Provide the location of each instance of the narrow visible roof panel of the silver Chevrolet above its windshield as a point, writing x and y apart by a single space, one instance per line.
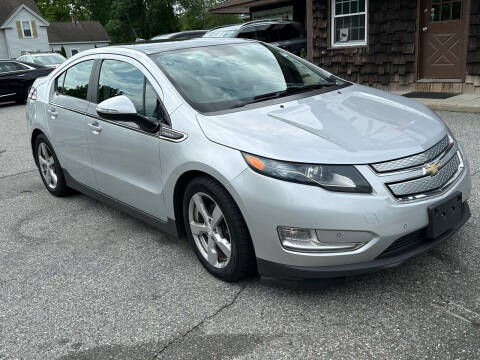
152 48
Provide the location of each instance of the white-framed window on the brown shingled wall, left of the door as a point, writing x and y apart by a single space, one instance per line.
349 22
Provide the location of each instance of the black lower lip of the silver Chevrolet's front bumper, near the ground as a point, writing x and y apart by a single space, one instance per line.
268 269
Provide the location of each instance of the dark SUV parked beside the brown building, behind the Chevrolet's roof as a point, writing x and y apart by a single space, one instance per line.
285 34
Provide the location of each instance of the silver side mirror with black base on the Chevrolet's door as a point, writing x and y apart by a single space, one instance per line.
121 109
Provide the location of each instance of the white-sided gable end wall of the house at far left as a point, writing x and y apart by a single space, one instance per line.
17 45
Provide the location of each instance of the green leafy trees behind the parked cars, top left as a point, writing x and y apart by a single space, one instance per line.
147 17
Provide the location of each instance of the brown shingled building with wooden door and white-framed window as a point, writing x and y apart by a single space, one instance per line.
403 45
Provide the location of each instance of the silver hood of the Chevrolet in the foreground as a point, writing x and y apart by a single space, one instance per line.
354 125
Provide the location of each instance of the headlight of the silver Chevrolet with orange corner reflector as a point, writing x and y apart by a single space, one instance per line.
340 178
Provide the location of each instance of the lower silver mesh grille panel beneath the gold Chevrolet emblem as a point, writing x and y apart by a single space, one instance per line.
427 183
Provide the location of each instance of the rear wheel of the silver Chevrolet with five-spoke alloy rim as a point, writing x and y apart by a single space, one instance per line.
49 168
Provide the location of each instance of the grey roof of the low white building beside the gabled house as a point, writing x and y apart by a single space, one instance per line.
81 31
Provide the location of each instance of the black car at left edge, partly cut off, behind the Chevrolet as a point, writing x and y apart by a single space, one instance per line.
17 77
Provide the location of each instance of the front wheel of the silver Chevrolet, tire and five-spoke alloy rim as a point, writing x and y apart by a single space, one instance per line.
217 230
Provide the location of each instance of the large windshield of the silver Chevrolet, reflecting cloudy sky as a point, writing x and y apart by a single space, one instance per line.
215 78
